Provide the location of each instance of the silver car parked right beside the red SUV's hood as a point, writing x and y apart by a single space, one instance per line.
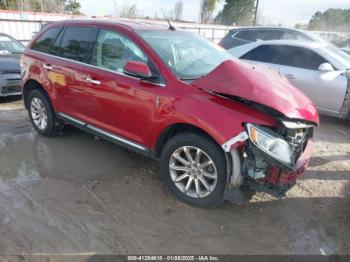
320 70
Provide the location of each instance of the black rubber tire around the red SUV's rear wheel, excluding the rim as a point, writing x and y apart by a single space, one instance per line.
49 130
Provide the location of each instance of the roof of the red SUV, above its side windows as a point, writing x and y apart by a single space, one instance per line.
131 25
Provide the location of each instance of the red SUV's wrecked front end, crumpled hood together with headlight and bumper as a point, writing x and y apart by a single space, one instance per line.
274 153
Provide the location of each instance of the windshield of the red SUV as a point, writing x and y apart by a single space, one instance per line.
188 55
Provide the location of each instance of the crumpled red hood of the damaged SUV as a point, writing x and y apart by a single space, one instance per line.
259 85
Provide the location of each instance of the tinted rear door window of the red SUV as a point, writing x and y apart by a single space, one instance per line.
76 43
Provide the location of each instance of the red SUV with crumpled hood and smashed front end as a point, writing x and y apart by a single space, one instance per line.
172 95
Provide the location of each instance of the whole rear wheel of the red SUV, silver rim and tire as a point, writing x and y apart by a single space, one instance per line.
42 115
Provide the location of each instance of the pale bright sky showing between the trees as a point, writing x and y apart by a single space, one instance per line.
285 12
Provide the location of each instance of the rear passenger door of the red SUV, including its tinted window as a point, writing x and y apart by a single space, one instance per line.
69 72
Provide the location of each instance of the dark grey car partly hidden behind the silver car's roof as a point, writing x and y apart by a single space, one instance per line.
245 35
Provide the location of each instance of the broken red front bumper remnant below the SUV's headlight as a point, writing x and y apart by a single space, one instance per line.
278 176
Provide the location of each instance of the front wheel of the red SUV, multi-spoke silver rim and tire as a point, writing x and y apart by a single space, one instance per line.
194 169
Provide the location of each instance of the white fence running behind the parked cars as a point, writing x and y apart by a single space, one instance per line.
23 25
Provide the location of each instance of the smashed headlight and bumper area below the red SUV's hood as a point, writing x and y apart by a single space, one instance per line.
273 155
